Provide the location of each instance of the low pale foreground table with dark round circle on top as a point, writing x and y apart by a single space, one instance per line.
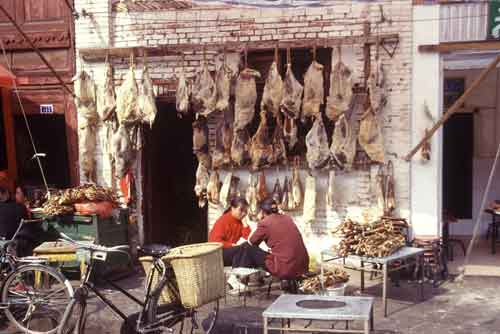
289 307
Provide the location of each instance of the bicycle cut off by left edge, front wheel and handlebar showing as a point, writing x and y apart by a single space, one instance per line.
33 295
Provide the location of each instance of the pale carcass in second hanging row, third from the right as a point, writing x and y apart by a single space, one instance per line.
318 152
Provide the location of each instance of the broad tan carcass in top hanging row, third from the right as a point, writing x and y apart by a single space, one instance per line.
313 91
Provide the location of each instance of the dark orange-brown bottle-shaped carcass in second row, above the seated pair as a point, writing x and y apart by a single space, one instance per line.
261 147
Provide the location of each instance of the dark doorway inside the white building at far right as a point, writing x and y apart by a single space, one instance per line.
458 143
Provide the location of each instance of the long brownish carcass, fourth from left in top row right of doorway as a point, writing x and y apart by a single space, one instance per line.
245 98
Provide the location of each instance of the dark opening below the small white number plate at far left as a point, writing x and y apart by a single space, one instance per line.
49 135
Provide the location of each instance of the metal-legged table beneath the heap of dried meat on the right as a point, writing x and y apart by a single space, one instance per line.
403 253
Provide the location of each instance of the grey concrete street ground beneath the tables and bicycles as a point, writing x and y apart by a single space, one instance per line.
468 306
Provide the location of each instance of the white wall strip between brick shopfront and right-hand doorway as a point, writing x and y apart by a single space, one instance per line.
426 87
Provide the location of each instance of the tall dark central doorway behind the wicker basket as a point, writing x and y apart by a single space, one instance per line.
171 209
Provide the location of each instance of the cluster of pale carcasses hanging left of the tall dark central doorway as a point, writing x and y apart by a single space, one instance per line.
122 114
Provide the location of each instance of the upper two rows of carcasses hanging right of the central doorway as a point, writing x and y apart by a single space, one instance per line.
283 104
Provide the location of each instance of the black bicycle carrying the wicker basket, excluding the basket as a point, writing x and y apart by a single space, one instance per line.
155 316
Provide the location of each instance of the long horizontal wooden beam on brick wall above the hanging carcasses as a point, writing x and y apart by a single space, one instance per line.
98 54
